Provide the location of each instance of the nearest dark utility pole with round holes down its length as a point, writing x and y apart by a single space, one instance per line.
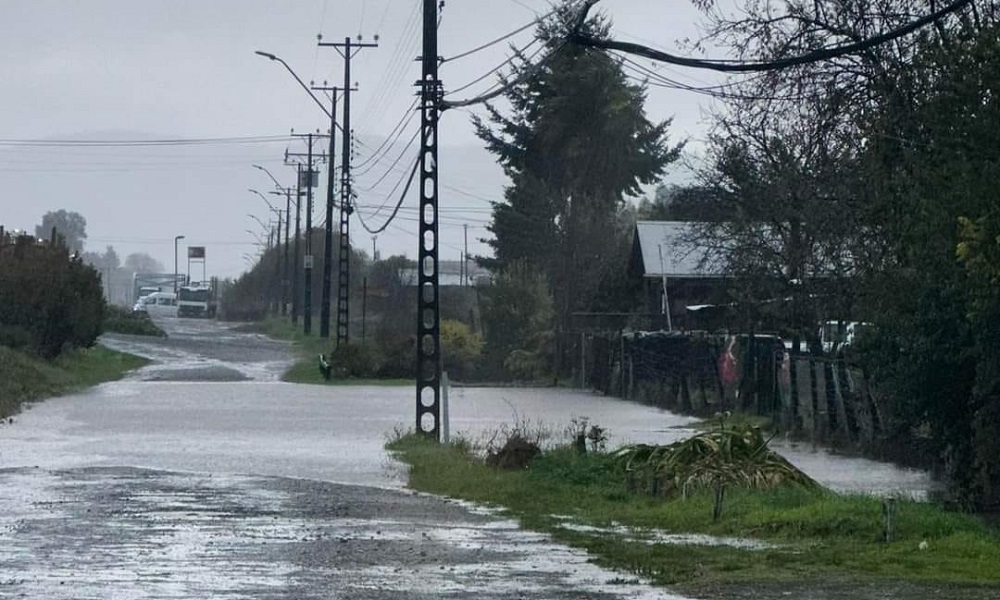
428 314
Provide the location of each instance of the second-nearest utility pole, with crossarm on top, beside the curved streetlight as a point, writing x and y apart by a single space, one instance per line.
347 50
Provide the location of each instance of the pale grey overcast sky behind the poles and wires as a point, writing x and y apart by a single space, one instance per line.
183 69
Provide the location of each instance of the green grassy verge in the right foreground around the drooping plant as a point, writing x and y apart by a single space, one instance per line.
812 536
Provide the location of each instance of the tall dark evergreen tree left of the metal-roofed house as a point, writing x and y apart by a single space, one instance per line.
575 144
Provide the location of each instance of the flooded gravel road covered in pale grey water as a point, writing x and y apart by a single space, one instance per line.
203 475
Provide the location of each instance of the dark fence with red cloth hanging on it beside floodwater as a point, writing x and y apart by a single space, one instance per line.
826 399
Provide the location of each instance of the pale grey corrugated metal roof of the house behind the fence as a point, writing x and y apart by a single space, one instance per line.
681 257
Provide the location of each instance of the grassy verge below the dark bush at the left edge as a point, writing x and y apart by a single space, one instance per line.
25 378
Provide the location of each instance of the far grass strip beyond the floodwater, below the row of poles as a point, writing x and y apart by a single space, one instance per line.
307 349
